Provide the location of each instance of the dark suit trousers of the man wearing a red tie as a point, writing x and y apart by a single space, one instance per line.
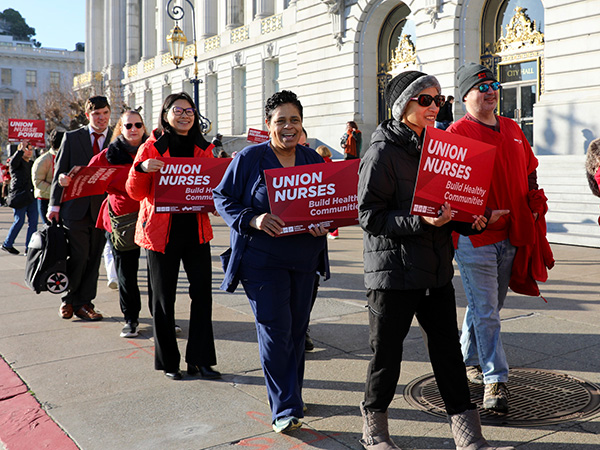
86 243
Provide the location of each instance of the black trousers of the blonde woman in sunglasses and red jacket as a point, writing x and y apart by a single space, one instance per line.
127 264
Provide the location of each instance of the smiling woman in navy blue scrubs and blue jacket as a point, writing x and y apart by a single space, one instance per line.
277 273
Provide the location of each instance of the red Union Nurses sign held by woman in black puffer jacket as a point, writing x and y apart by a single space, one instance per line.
453 169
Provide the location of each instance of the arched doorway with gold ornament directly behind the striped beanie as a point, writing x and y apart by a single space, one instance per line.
396 40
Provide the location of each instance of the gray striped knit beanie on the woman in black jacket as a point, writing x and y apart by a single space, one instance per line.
405 86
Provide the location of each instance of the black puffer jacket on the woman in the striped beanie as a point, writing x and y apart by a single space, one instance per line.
400 251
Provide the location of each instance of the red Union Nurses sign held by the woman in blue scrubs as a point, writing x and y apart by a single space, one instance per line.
313 194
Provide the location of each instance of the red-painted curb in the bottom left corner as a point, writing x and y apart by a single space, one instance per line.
24 425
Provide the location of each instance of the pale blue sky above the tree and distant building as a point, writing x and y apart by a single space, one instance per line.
57 23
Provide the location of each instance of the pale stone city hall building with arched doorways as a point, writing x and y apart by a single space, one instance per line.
337 56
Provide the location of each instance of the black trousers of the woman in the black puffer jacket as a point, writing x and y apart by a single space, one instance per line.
390 317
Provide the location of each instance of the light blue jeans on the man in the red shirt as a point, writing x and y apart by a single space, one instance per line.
485 273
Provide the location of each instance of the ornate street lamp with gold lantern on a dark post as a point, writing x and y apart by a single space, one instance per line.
177 42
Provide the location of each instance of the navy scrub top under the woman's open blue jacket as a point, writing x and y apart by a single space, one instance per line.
297 252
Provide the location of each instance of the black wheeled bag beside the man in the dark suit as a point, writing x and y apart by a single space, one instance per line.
46 266
